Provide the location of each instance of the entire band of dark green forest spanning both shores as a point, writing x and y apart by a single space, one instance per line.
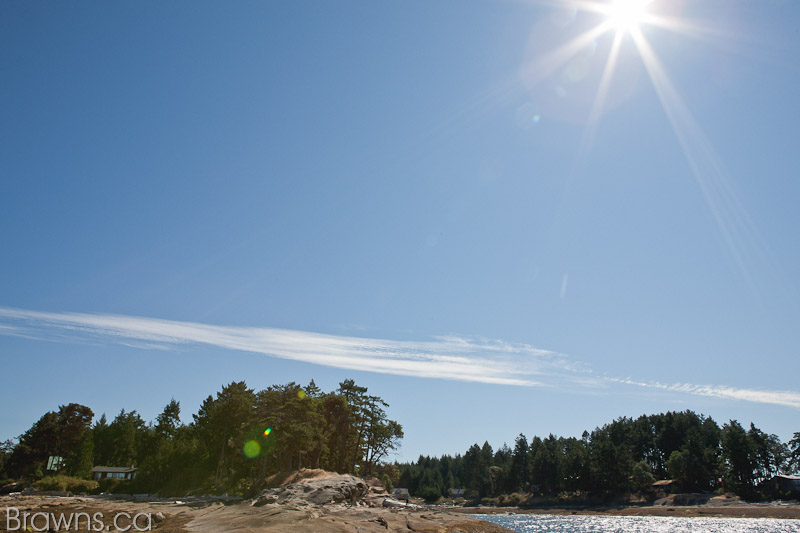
239 437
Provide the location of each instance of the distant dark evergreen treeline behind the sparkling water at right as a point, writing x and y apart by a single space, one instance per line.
622 457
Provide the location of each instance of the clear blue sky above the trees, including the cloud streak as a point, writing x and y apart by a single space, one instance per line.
460 205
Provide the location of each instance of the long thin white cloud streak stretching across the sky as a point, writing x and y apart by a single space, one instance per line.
447 357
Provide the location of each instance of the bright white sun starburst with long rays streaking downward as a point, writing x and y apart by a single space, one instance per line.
628 18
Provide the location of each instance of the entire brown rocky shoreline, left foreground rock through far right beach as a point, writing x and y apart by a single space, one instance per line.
318 501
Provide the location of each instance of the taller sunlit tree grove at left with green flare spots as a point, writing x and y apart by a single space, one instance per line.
236 439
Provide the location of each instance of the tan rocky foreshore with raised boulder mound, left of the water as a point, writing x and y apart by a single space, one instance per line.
321 502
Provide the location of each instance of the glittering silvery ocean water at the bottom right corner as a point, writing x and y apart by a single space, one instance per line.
639 524
